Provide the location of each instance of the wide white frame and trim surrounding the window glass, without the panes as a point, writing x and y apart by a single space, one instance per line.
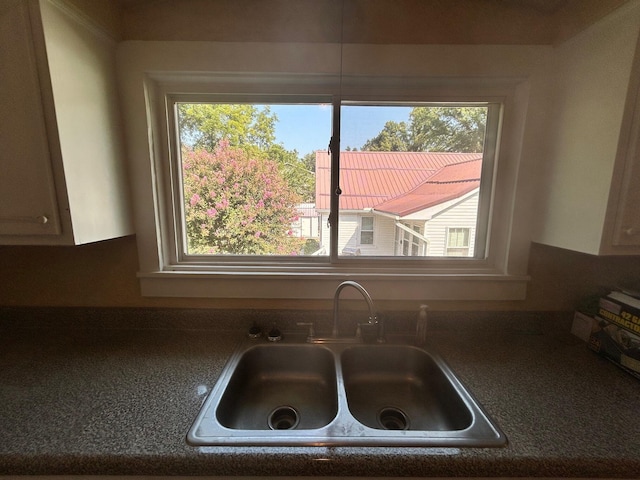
501 275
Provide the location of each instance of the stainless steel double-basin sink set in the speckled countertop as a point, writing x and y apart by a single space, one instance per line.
294 393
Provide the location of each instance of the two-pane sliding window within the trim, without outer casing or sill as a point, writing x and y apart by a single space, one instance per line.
246 169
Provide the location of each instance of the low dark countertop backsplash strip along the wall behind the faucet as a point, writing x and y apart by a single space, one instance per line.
240 320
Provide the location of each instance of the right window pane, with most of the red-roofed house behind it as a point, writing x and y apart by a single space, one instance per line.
417 166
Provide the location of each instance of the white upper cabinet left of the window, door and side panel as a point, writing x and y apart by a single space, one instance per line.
63 178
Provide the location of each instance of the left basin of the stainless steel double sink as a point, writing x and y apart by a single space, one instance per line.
292 386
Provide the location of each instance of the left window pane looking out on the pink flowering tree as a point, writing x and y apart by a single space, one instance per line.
248 178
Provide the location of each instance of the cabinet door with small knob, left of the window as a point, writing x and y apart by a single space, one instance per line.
28 204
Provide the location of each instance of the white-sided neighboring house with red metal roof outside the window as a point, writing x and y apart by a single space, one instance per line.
402 203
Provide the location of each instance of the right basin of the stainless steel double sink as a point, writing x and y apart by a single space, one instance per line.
401 388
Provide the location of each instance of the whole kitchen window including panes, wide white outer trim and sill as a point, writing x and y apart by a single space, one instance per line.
184 252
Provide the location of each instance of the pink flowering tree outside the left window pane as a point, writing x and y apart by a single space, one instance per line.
236 204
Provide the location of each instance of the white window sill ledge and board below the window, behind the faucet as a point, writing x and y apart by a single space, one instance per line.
314 285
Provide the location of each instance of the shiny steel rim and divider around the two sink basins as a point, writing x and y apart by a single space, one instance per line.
344 429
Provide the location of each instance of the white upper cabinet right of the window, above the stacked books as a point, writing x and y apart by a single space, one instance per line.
589 174
